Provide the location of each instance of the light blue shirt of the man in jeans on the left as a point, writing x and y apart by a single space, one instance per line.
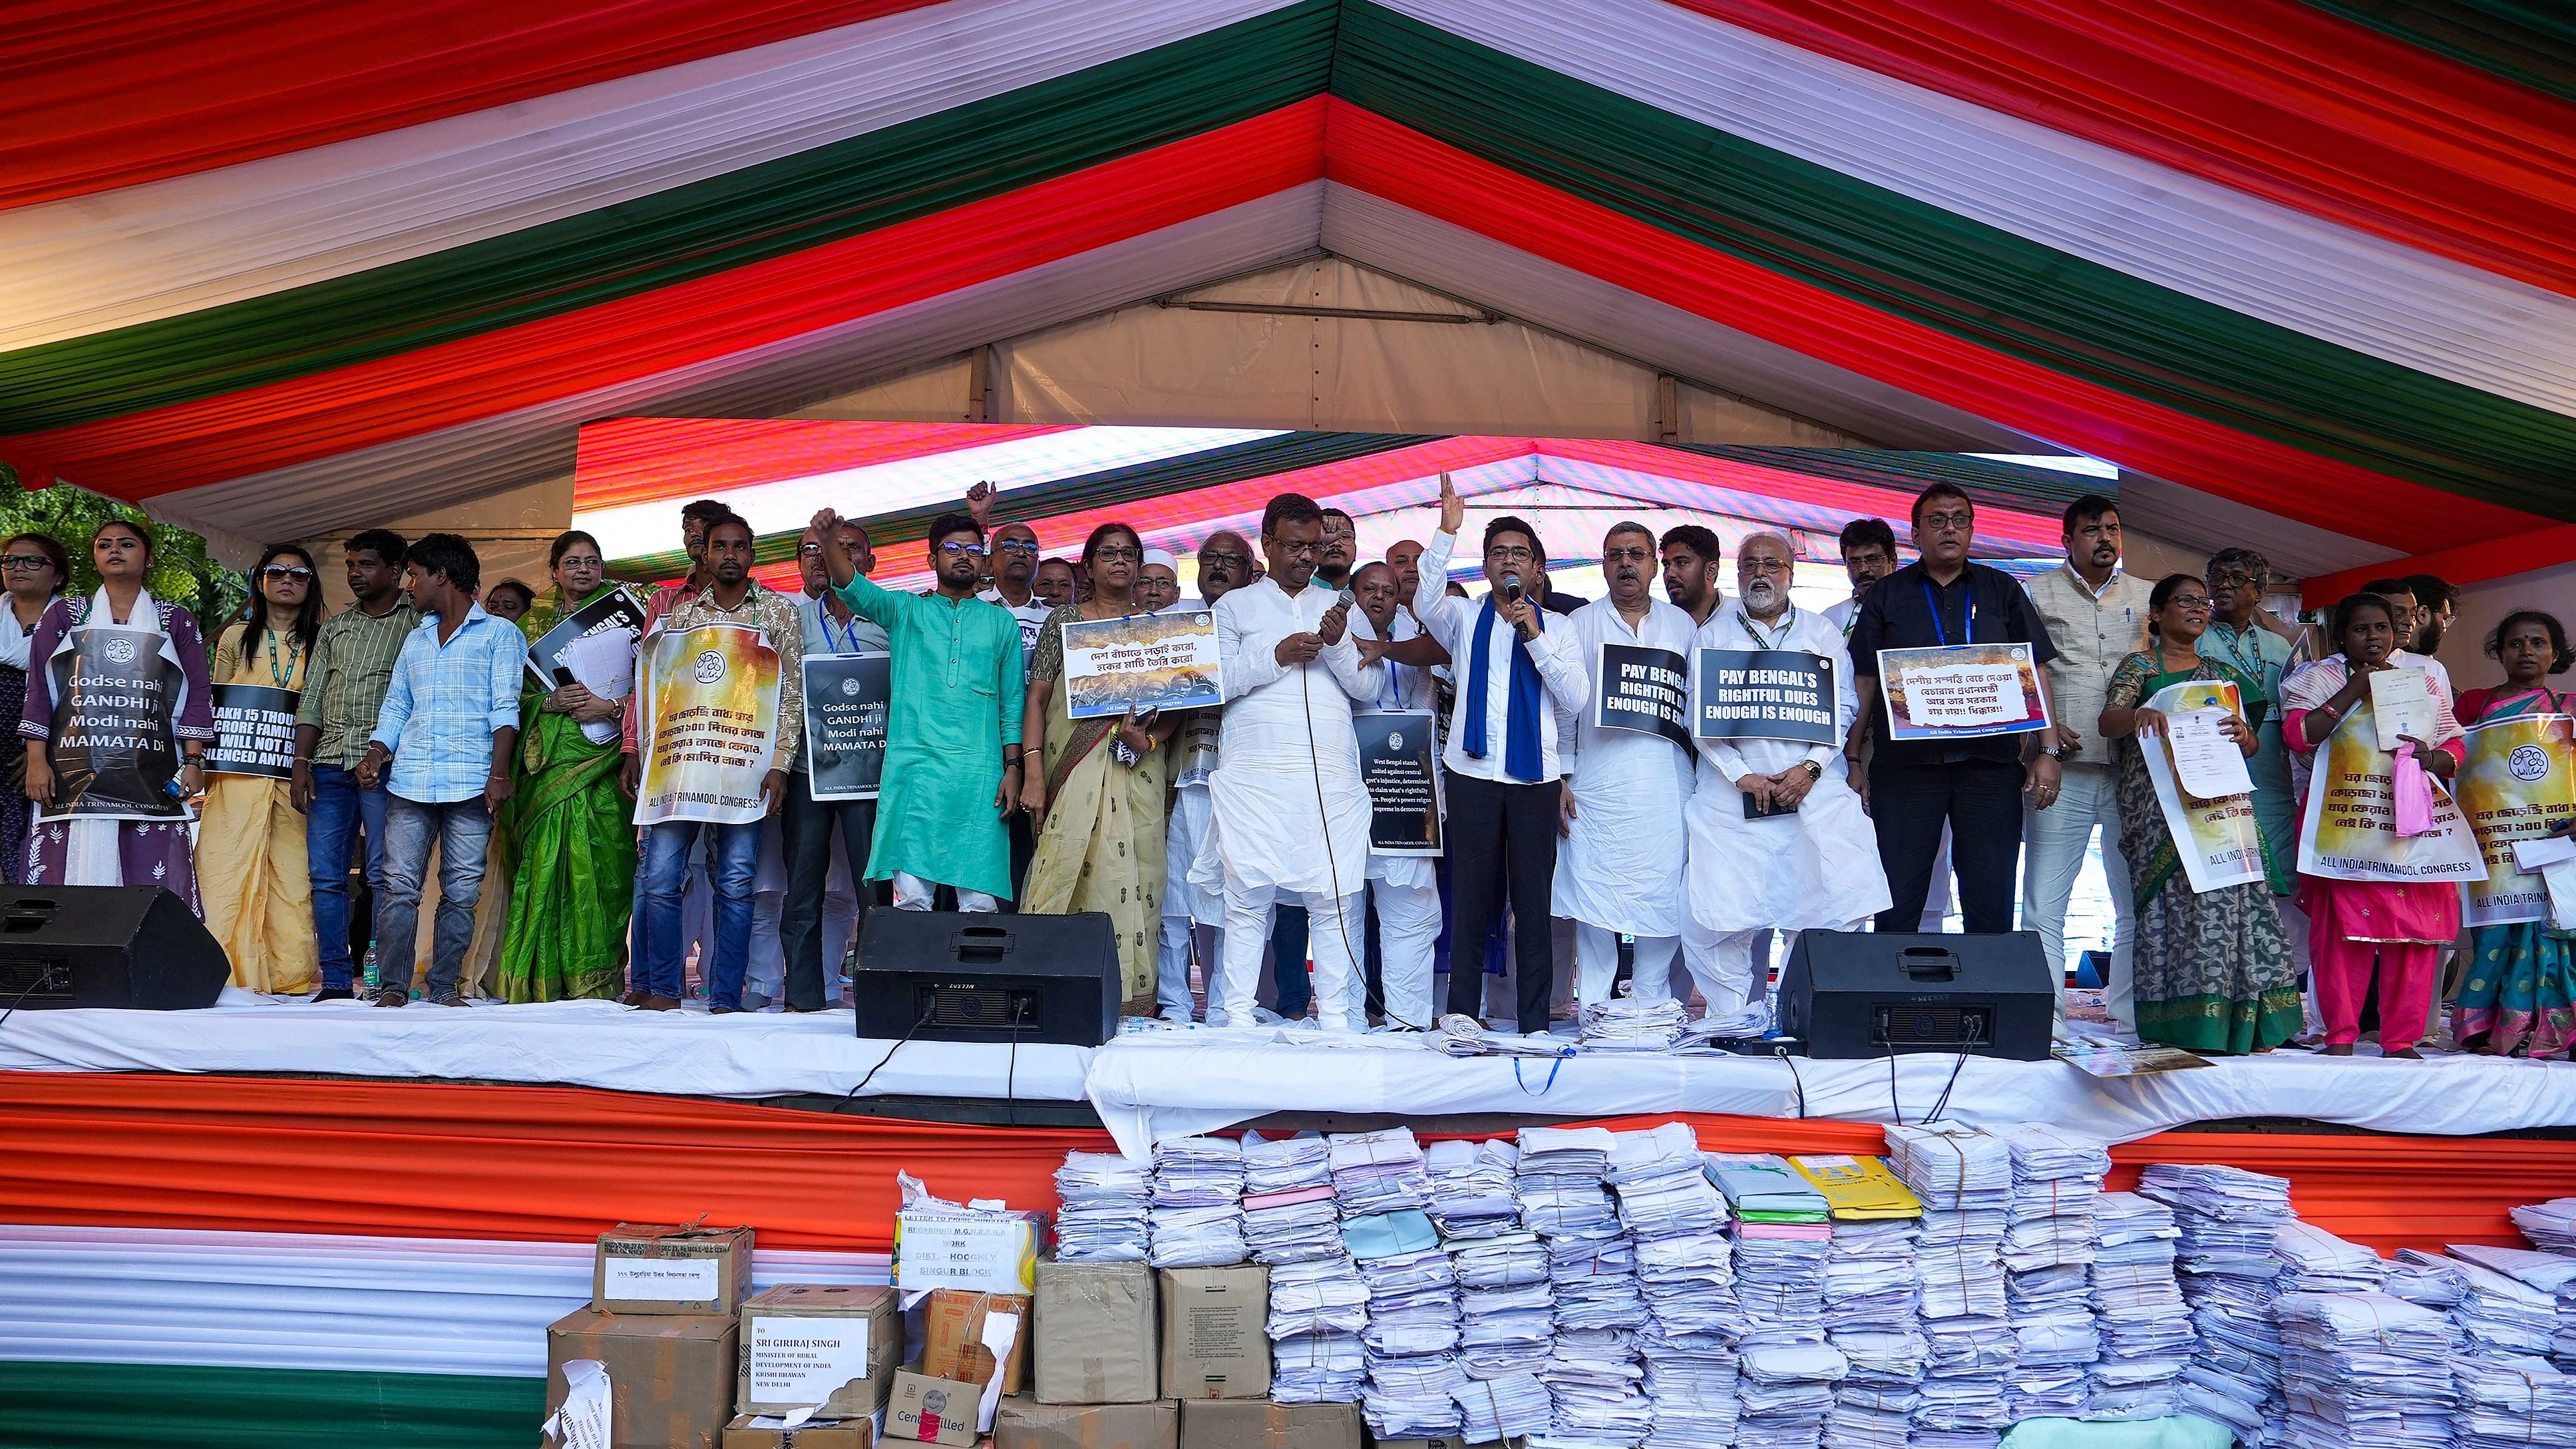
444 705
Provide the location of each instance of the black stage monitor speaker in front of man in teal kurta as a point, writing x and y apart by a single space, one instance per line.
947 976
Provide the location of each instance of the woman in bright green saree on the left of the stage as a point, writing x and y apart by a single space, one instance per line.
568 821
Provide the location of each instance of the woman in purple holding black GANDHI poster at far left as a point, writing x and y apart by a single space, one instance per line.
117 819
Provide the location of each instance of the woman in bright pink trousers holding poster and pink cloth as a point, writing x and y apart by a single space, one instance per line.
2400 927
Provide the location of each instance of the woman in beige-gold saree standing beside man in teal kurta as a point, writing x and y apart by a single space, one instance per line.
1099 801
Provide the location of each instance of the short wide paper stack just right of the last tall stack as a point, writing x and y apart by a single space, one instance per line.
2363 1370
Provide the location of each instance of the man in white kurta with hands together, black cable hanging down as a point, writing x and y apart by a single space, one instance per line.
1289 816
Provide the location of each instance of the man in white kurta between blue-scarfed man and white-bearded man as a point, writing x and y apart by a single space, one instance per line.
1627 847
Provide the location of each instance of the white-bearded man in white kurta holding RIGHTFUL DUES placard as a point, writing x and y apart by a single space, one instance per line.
1815 868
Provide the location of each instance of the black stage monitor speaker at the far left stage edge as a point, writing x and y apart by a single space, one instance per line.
107 945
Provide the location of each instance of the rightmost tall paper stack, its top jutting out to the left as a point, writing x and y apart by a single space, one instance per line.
2230 1221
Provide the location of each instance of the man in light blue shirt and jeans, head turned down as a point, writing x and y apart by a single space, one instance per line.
450 728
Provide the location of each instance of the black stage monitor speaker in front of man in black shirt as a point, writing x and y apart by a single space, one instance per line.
1859 994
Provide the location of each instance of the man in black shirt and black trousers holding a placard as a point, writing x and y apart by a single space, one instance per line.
1975 788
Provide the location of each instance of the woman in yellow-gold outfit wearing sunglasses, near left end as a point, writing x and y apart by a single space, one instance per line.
251 868
